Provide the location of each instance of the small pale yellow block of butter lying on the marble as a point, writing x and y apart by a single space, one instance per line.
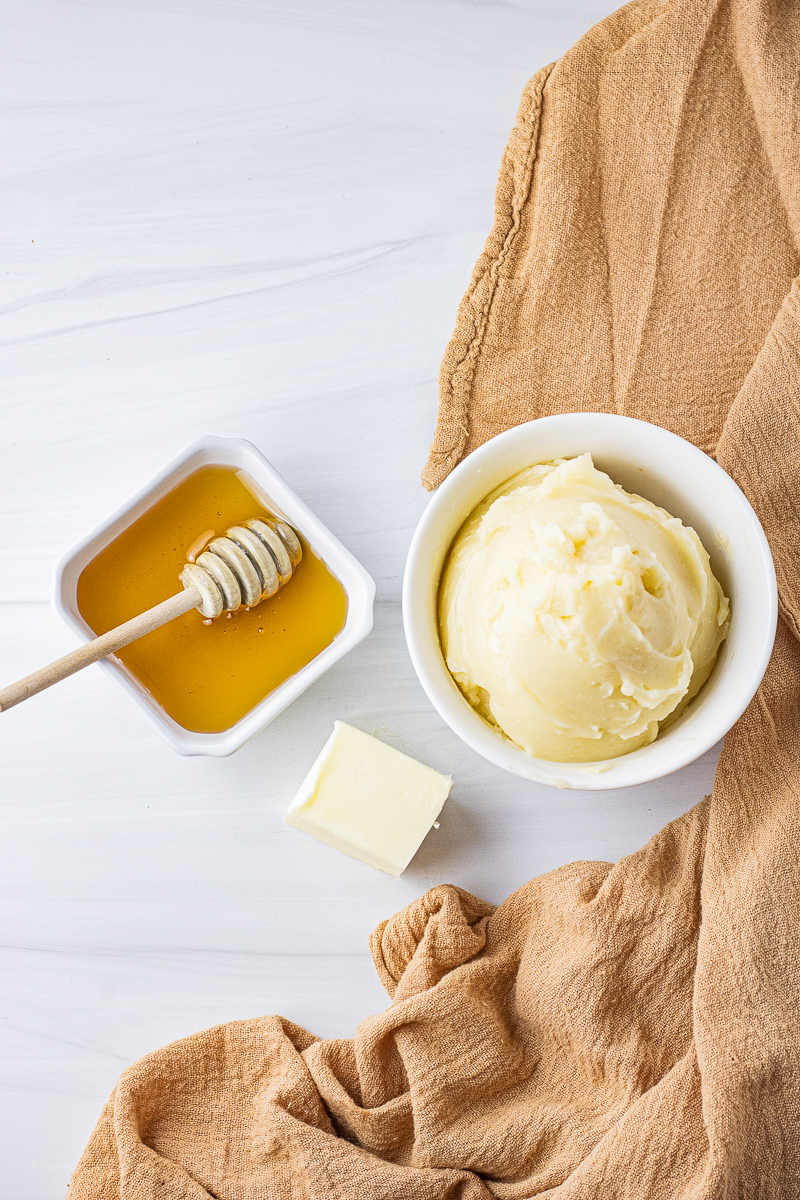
369 800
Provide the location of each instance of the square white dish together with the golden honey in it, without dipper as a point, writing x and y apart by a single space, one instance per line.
210 686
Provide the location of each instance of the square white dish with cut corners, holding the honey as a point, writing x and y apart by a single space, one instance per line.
244 457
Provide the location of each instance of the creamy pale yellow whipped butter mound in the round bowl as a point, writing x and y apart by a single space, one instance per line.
576 617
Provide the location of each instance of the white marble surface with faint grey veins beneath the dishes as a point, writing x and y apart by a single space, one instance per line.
254 219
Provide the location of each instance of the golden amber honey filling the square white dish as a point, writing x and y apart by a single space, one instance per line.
208 676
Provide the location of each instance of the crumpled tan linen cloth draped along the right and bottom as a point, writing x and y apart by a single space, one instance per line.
611 1033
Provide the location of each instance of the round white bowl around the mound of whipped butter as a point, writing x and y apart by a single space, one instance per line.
676 476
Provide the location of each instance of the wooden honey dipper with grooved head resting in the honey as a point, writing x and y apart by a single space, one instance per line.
240 569
